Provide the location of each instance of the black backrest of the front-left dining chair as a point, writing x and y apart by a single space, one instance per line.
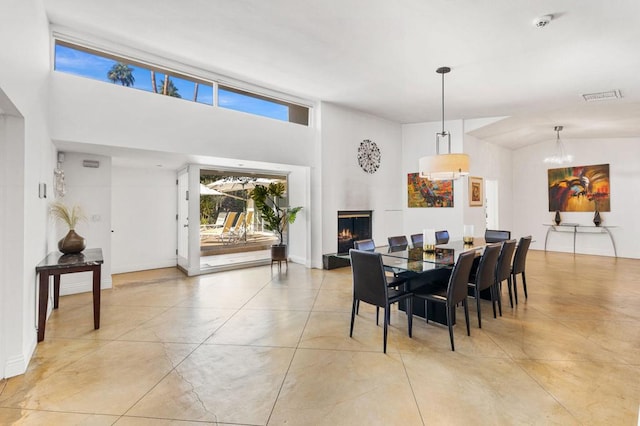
369 282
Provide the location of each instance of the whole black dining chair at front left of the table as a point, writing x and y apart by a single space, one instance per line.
370 286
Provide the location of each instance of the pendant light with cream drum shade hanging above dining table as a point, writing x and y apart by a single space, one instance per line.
444 166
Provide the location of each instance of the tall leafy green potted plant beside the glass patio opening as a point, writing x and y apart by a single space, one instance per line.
275 217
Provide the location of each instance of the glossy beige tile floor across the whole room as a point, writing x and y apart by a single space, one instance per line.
255 347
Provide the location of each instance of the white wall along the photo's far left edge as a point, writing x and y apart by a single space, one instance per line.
24 81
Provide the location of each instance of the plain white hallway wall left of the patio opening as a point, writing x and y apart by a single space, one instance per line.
143 219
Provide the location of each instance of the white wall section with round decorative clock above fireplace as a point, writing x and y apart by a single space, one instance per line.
345 186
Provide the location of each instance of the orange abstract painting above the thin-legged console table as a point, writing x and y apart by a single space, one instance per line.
579 189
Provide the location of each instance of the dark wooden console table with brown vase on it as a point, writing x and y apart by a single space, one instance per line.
56 264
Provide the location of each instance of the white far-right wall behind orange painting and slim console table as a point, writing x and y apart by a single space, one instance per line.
531 202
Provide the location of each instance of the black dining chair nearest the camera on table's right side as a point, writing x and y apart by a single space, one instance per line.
455 293
